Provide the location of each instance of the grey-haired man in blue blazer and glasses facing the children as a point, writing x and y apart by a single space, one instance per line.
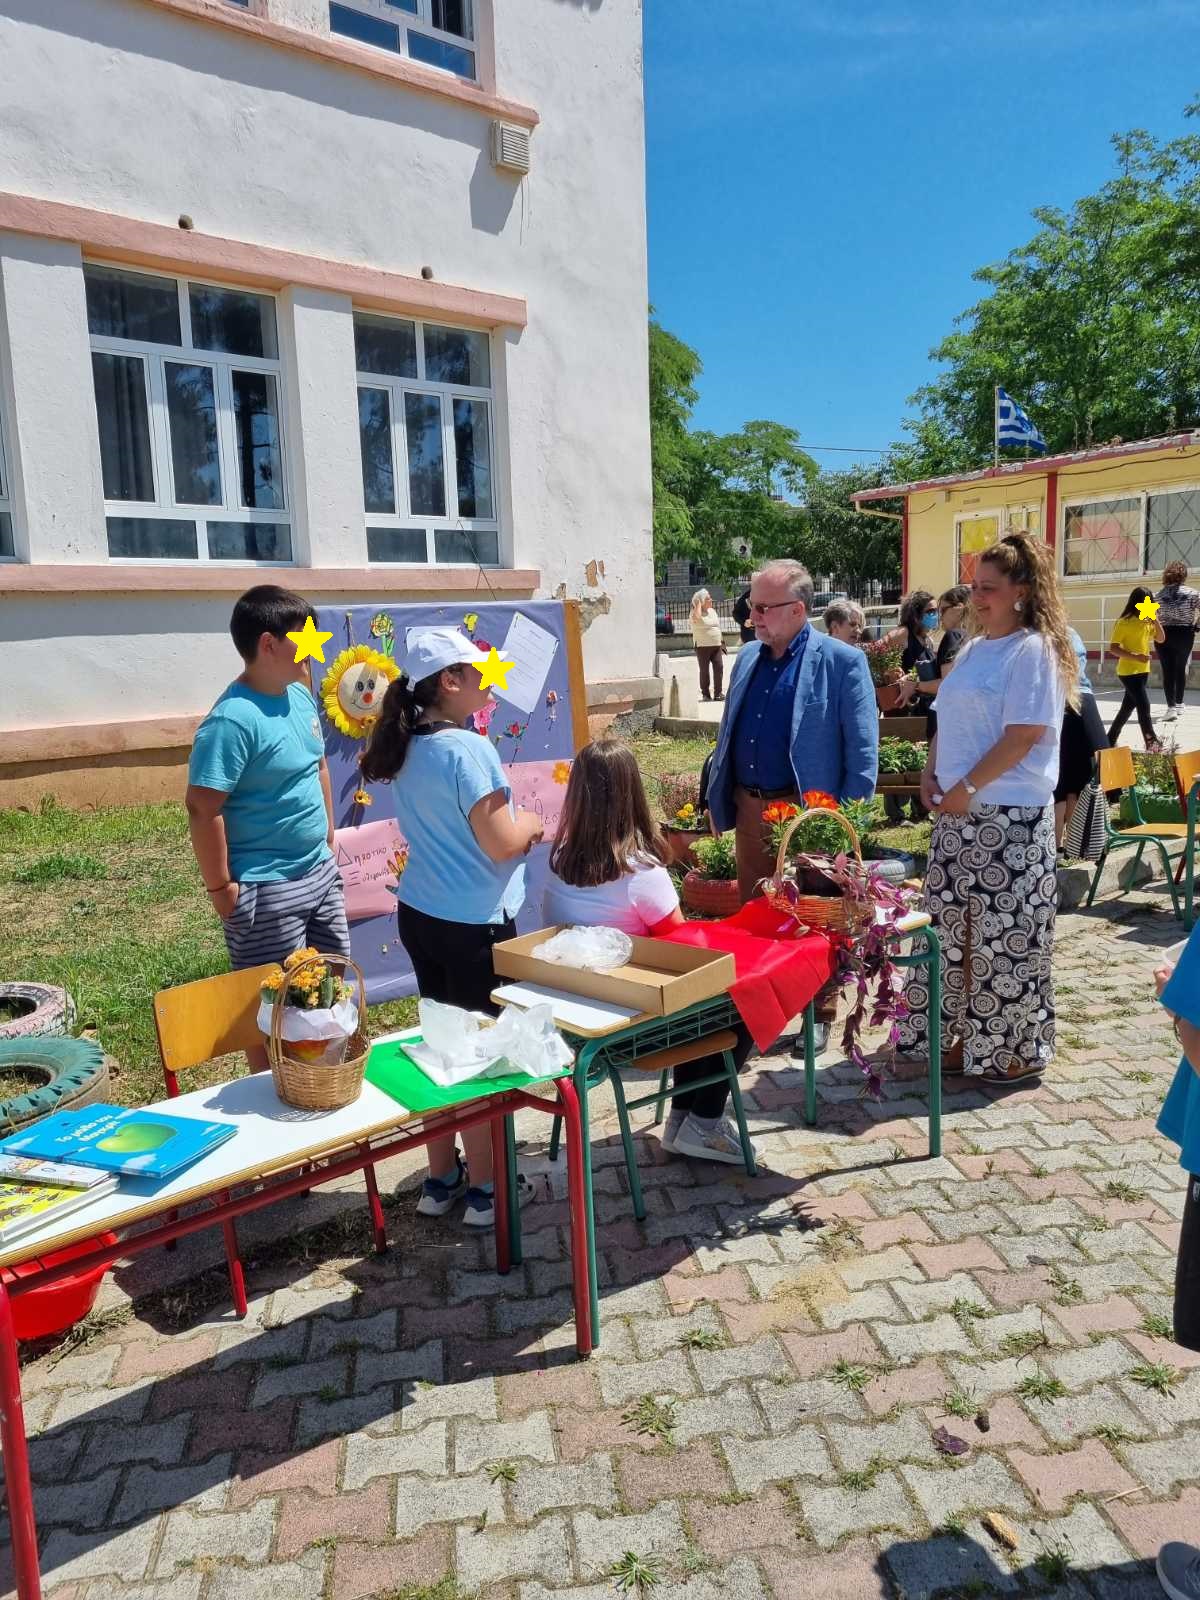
801 714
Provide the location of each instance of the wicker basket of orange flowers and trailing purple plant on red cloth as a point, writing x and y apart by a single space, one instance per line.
862 927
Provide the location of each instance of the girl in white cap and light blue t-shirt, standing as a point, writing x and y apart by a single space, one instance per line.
466 847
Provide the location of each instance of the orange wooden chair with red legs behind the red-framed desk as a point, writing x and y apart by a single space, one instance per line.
218 1017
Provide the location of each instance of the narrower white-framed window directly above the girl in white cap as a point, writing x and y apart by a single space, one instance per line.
428 442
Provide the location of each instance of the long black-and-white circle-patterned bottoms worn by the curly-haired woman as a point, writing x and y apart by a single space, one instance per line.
991 890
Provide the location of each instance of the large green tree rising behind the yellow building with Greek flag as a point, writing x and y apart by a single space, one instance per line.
1094 326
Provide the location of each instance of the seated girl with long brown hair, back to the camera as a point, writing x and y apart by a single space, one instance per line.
607 871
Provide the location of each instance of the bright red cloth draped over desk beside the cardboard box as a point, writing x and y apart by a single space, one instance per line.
778 969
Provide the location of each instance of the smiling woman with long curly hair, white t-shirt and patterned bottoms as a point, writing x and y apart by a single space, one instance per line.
990 780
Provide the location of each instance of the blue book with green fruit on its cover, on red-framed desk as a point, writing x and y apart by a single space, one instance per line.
129 1143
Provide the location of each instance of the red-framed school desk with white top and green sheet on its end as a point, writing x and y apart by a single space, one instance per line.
276 1153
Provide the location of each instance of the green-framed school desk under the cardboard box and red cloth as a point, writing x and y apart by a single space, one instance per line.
604 1054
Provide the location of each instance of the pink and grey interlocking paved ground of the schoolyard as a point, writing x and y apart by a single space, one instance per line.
780 1358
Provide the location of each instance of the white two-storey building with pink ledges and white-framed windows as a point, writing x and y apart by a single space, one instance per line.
346 295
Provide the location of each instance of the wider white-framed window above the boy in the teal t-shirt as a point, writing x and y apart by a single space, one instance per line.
188 402
